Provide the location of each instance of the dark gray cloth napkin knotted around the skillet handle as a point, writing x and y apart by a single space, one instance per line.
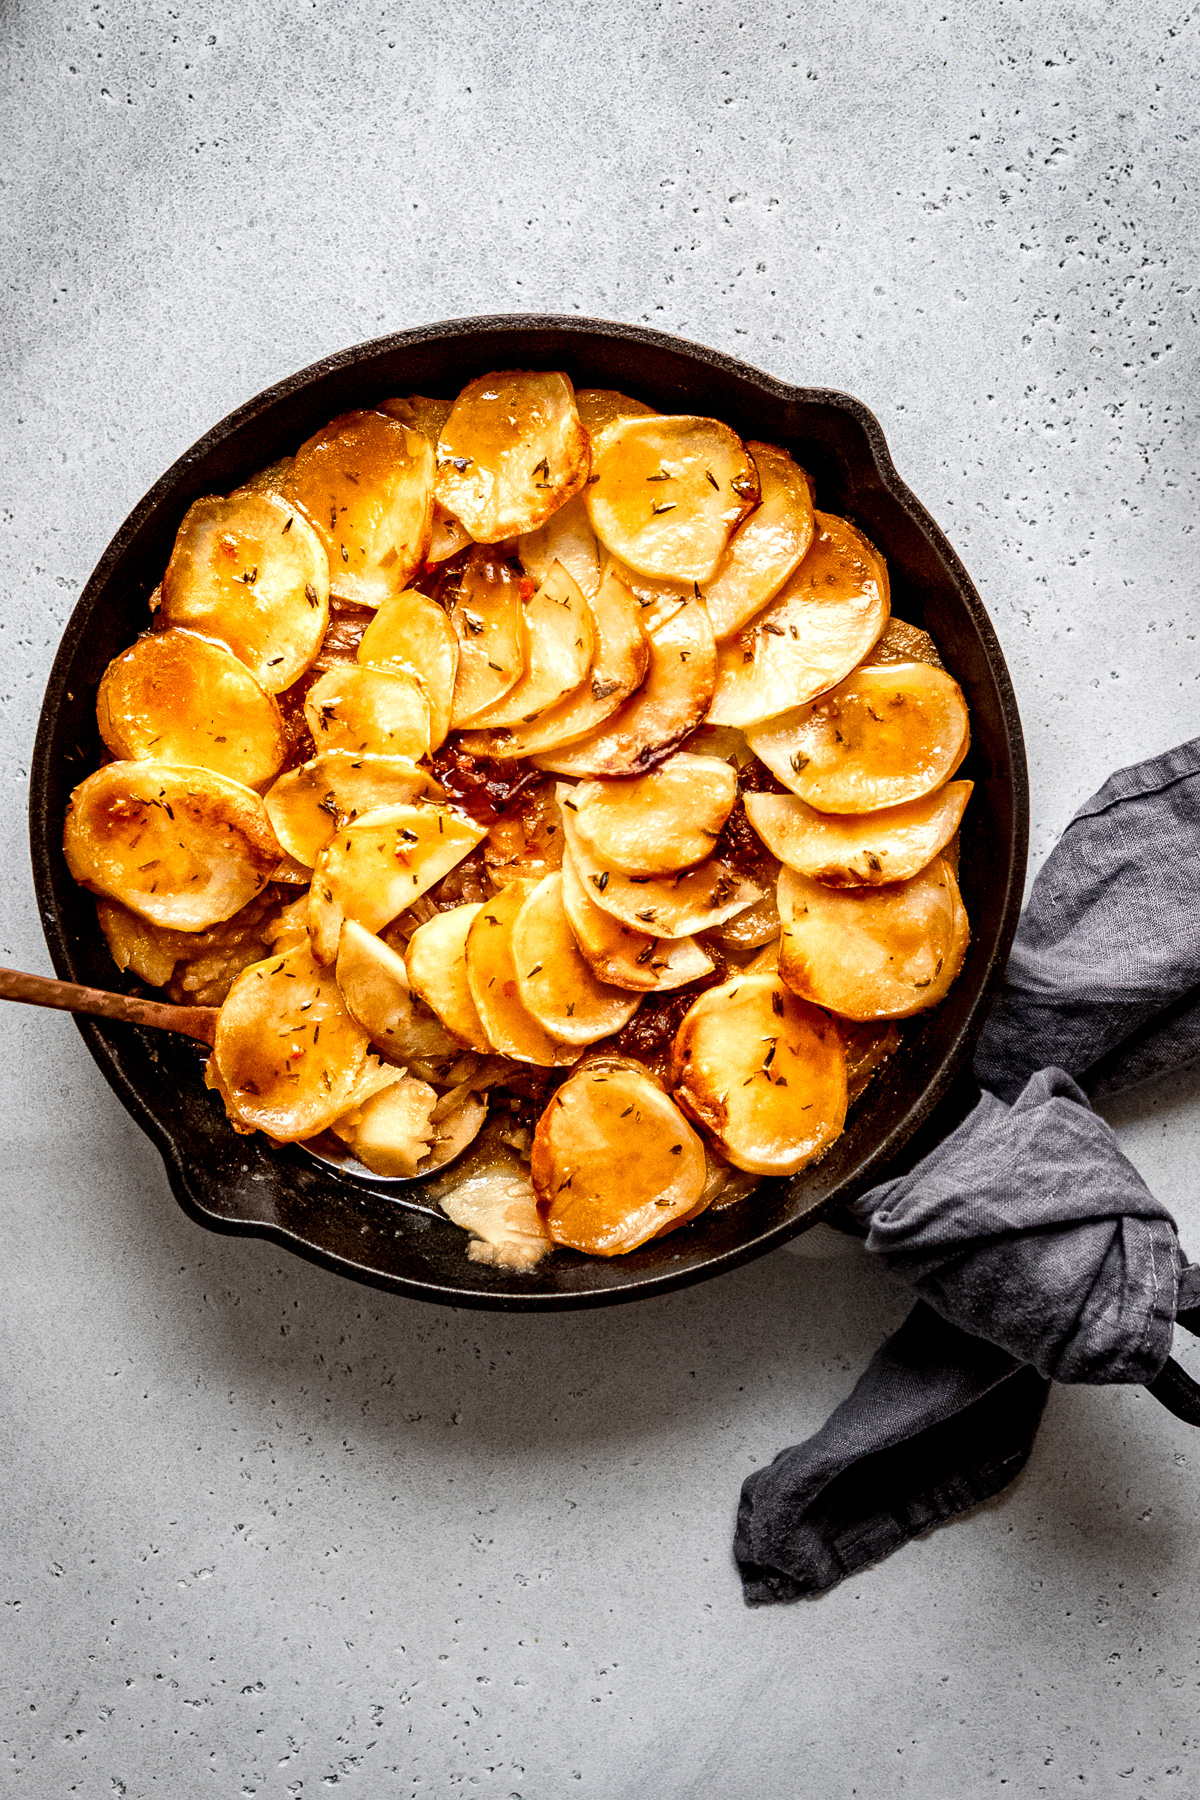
1034 1243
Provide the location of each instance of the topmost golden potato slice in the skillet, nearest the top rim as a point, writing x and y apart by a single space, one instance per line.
512 453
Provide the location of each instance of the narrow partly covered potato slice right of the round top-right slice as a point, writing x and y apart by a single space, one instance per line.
766 548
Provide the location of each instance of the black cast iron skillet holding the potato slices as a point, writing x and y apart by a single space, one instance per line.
231 1183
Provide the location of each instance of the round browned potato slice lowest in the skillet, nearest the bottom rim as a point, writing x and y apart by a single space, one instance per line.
614 1162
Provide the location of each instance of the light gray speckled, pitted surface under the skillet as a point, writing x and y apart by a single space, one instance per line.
267 1533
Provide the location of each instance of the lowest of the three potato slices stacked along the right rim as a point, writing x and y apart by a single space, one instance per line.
873 953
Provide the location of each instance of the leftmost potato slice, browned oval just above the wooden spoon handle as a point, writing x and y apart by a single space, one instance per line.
179 847
